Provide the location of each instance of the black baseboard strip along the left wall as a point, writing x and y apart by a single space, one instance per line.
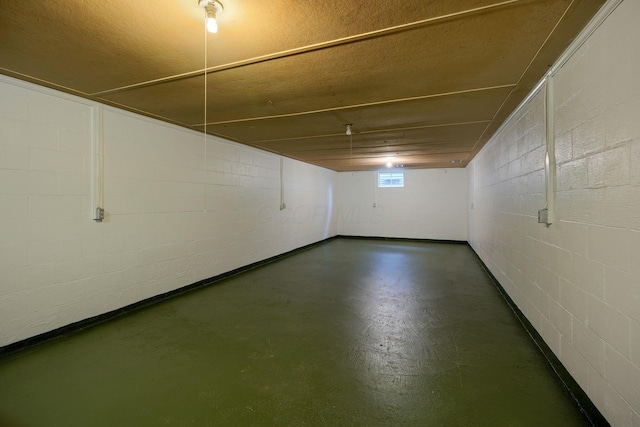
101 318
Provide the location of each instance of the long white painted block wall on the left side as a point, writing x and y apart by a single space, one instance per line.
177 211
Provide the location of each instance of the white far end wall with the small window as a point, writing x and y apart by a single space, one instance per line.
431 205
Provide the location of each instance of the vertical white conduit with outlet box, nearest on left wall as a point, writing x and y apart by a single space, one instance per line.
97 164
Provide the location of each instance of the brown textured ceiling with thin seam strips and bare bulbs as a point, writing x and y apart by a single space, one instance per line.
423 82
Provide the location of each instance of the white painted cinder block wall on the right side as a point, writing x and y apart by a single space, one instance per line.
578 281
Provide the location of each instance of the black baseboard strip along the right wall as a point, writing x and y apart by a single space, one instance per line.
590 411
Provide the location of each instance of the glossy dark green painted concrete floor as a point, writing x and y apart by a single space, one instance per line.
348 333
